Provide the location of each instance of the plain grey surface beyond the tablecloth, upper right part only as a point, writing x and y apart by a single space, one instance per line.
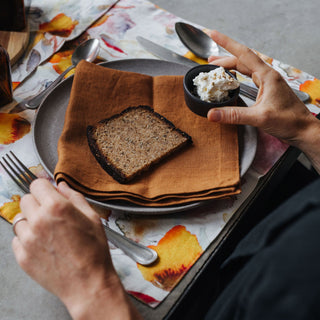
287 30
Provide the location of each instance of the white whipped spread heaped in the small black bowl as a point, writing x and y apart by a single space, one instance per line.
215 85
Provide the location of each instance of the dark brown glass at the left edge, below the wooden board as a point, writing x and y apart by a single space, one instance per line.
5 78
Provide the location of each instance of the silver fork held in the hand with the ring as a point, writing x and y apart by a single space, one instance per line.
23 177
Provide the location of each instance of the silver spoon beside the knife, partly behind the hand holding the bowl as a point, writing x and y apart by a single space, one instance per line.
199 43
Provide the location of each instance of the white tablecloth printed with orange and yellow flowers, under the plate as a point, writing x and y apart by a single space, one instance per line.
57 27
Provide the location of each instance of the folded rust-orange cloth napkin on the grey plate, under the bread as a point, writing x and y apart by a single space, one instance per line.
208 169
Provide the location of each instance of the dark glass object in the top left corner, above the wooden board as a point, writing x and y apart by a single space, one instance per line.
12 15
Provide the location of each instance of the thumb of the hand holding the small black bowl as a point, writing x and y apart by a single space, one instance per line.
232 115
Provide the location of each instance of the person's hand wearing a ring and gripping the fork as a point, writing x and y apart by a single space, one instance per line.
62 245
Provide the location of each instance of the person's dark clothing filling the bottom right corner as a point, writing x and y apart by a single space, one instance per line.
274 273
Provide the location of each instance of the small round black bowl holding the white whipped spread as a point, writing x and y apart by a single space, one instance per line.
192 99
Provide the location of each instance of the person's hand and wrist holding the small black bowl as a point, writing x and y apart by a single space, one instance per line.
277 110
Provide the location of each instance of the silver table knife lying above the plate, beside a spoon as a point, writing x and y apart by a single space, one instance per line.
168 55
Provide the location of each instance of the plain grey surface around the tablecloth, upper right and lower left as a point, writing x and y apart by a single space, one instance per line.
287 30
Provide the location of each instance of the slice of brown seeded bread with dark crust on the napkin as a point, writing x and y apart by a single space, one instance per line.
132 141
